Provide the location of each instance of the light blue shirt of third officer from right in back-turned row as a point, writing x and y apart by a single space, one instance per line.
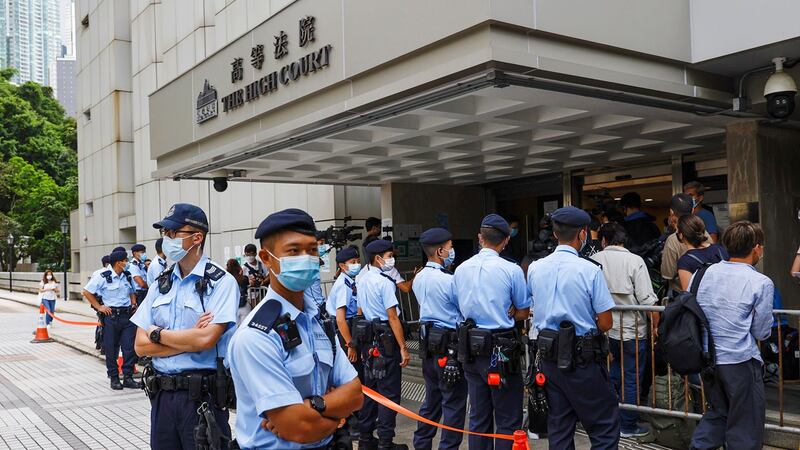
436 295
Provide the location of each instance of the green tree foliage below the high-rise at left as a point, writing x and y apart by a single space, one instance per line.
38 170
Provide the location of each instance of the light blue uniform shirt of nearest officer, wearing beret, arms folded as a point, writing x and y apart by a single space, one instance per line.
268 377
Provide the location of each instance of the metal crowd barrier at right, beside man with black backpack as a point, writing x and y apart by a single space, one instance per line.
694 401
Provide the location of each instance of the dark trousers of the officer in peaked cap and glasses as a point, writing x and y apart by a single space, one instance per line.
173 416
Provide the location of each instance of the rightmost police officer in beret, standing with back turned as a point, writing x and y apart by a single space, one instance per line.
571 301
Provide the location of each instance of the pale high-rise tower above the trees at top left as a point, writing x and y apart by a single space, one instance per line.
31 31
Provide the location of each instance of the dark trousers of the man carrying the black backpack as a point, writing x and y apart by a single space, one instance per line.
736 416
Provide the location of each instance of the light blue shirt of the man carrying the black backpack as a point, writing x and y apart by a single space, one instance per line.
737 301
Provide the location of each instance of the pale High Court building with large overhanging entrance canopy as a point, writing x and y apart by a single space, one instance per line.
428 113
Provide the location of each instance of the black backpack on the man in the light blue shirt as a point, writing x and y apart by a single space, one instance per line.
681 331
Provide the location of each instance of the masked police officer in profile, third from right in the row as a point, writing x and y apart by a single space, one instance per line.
445 386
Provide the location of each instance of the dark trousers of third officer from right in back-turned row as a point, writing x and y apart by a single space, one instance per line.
450 405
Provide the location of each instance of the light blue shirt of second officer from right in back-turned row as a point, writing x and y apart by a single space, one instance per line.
486 287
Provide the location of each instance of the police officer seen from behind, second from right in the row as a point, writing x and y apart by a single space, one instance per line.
491 296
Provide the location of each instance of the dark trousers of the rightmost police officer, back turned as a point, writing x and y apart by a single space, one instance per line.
583 394
